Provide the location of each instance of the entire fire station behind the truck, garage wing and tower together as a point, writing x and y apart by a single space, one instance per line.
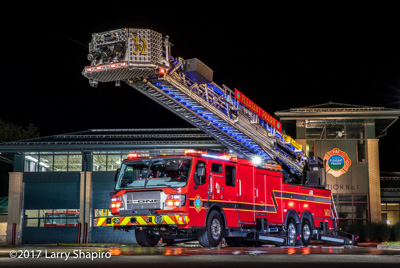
61 183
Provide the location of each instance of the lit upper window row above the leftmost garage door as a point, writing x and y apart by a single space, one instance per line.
53 162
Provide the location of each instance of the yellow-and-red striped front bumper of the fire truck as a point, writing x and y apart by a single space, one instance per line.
162 219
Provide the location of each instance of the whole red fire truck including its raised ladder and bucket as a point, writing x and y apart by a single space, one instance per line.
279 199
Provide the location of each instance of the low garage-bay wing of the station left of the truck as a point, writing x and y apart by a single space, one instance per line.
61 183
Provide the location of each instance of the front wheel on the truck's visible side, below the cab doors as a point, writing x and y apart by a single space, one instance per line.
212 235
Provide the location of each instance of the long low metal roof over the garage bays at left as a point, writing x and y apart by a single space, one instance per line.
111 139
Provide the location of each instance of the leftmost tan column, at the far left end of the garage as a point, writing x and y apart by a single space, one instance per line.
15 200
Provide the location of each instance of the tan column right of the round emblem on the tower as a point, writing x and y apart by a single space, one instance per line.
374 180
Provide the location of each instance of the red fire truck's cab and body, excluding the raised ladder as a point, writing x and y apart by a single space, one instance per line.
209 196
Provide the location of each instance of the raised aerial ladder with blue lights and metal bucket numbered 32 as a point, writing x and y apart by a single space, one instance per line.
211 108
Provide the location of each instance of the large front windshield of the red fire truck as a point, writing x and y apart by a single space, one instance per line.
154 173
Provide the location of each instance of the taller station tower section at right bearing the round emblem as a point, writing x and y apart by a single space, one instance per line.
347 137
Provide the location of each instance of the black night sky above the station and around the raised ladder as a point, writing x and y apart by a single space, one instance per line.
280 58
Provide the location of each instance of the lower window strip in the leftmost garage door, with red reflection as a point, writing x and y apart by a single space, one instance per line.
51 217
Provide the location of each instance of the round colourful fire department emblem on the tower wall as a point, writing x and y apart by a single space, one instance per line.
338 162
